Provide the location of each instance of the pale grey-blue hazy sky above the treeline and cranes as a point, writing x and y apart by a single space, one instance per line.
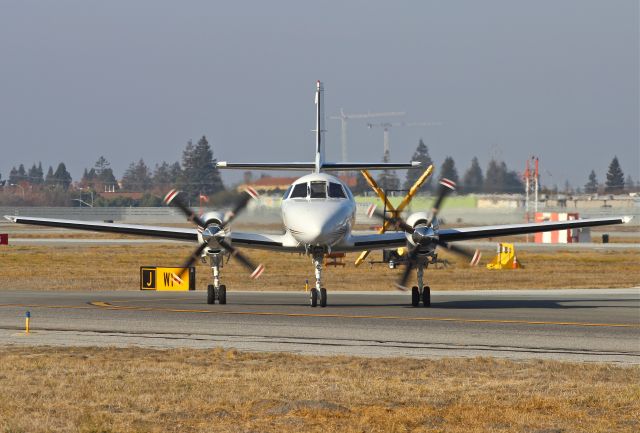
131 79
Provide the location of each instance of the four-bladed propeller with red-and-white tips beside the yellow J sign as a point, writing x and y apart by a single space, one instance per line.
214 234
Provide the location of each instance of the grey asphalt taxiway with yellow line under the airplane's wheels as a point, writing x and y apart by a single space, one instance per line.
599 325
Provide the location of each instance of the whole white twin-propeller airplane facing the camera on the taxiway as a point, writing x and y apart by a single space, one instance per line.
318 212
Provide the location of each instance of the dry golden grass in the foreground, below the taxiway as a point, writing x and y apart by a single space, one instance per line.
141 390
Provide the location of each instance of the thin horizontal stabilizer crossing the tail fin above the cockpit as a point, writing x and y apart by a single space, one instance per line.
326 166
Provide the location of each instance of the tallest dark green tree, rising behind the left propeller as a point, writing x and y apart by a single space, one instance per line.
200 174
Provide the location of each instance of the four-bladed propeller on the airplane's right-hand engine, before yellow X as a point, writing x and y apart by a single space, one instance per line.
425 234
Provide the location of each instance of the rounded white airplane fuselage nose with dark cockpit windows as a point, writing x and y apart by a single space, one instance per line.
318 210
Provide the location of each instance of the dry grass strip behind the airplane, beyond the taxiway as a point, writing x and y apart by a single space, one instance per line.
116 267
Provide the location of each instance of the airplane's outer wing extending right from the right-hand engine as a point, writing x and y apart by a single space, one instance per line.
468 233
